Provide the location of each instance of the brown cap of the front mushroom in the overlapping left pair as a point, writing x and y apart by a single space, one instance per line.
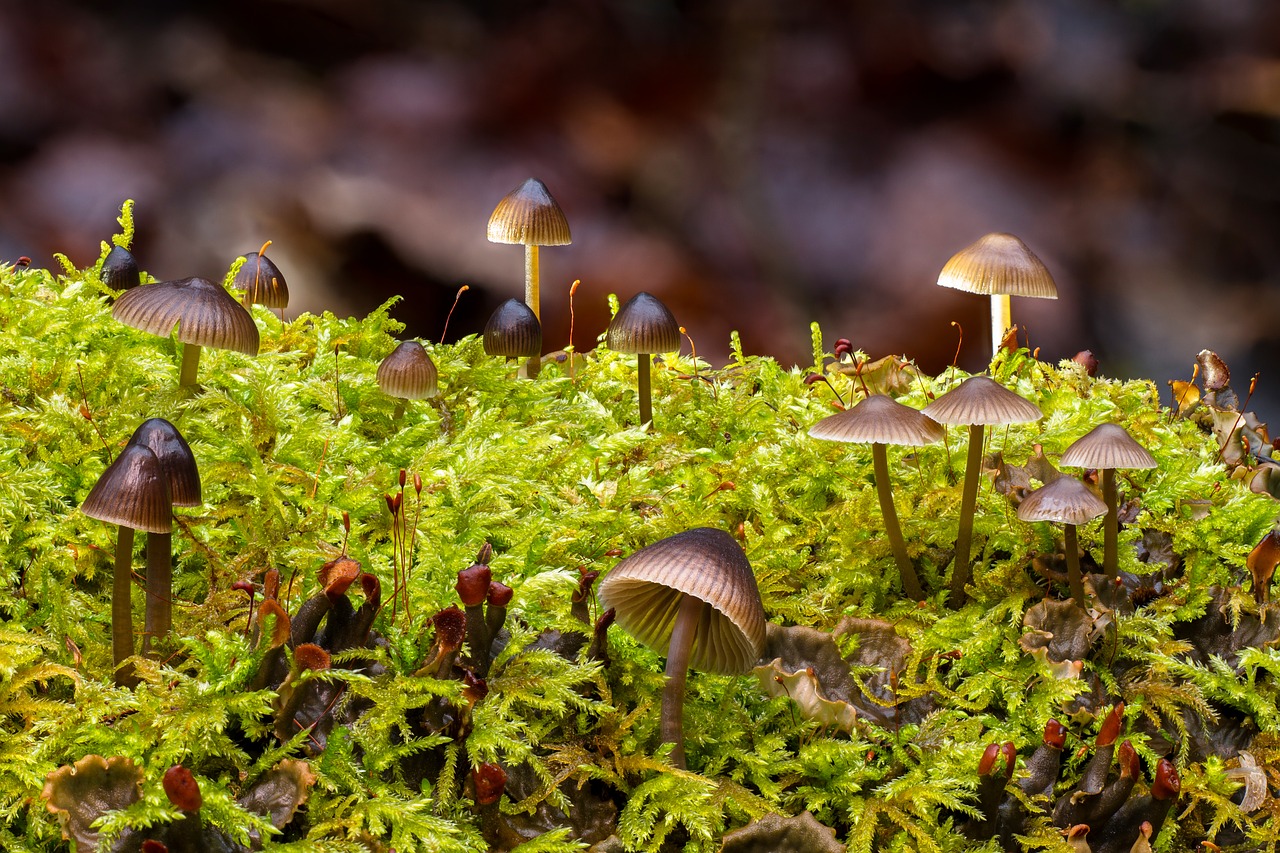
132 492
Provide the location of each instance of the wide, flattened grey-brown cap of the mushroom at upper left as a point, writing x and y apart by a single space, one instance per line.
205 314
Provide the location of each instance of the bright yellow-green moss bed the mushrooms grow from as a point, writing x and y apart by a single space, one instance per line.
332 682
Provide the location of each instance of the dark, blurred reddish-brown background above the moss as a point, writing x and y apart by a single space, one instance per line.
756 165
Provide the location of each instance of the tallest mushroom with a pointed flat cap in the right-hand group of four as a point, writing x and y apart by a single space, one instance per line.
976 403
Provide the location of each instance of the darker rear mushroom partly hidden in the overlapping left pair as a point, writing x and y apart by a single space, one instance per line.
184 480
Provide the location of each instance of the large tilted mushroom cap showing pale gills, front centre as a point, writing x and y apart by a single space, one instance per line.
648 587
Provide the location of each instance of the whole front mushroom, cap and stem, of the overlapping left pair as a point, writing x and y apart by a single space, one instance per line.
135 495
